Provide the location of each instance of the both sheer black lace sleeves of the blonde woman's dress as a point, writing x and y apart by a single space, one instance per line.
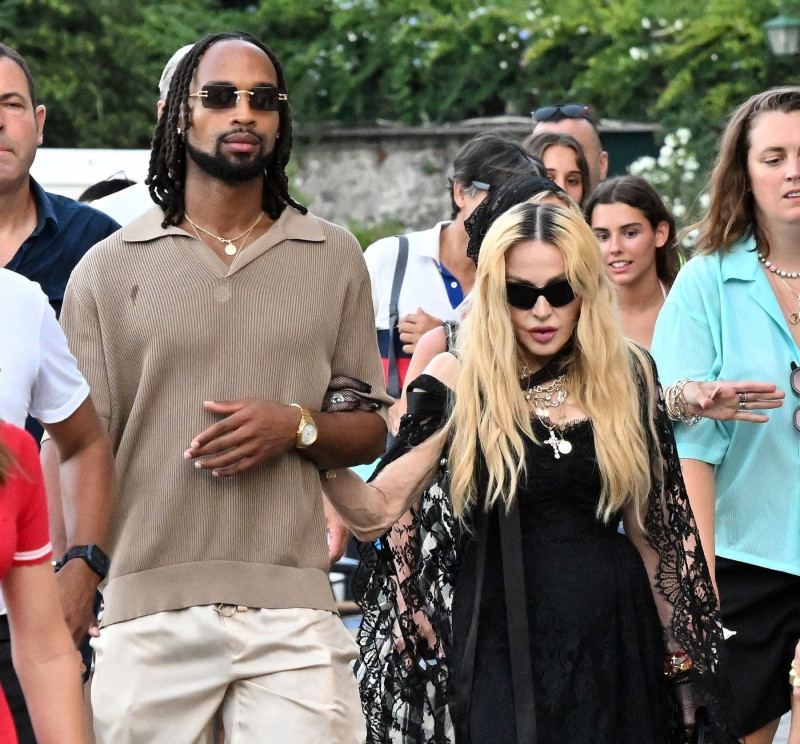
405 585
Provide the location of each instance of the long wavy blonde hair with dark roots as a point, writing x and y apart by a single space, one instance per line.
491 418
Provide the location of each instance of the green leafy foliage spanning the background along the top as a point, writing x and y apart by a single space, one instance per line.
682 63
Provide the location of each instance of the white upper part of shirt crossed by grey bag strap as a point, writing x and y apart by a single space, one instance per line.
423 285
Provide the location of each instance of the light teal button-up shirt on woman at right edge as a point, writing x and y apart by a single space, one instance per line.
723 321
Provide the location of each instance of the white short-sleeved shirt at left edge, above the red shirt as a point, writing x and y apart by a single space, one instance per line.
38 374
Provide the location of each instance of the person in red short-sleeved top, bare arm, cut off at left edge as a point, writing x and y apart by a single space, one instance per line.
45 660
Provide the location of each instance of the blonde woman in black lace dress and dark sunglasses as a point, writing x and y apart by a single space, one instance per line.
562 628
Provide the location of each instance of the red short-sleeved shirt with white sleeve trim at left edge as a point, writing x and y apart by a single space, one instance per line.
24 538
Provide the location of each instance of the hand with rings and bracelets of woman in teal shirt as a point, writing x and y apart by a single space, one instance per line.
726 401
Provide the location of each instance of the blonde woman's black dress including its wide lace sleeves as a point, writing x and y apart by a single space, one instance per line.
591 613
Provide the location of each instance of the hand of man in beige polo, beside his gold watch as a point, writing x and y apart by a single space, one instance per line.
254 431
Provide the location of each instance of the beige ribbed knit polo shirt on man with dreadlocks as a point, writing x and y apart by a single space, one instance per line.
160 324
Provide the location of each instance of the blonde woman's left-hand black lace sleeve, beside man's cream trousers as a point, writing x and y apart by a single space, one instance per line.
404 585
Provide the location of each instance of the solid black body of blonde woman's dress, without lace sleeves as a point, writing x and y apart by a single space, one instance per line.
595 641
